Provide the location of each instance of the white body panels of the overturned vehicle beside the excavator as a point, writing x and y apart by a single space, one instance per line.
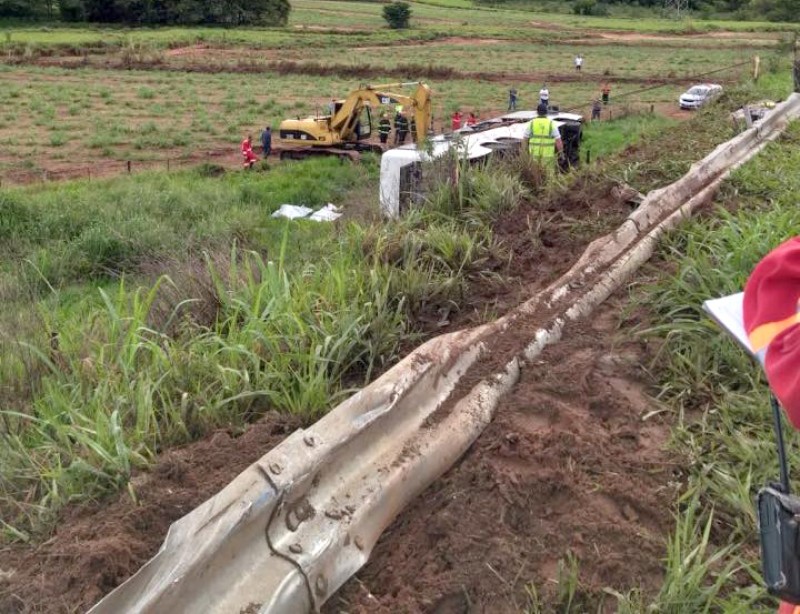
471 144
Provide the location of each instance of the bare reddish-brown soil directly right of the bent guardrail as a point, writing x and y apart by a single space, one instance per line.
569 467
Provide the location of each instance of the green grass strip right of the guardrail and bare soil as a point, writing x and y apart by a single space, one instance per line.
716 390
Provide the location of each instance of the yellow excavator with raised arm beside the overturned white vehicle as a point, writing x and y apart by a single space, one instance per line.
346 131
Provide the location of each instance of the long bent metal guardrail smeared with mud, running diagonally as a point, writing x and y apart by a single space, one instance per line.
294 526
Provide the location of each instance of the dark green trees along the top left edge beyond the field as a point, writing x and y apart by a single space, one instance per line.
153 12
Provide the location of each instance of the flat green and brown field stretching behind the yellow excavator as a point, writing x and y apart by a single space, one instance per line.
186 96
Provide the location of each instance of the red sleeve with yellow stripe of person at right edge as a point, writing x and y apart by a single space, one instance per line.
772 321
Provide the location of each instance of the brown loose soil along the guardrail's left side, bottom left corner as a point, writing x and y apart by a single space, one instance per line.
97 547
